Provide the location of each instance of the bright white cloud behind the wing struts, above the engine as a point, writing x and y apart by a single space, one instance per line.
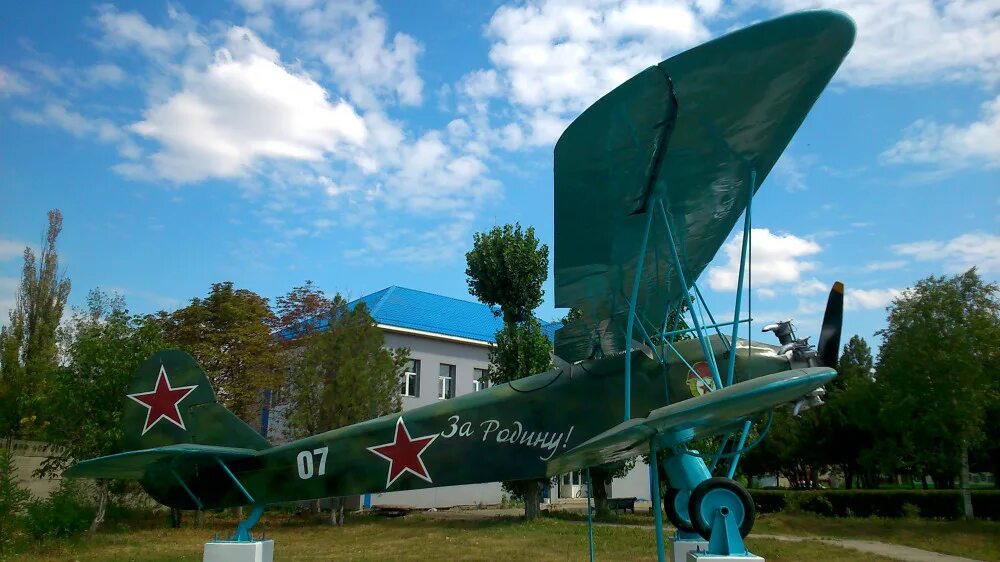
777 259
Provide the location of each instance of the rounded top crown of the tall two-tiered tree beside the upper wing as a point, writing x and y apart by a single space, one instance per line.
506 268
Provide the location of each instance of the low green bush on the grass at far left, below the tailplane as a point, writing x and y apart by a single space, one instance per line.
63 514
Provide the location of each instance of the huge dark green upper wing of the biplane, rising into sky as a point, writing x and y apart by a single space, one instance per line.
687 133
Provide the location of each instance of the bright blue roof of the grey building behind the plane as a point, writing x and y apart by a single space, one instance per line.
419 310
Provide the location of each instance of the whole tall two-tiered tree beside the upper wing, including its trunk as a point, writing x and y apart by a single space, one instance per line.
505 269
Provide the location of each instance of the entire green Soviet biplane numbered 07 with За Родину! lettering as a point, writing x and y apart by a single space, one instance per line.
649 183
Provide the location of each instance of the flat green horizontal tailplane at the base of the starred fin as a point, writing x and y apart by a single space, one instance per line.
134 464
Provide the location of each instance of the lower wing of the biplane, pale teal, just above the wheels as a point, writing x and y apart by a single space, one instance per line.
705 416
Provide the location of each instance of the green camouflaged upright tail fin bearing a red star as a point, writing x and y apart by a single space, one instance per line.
170 401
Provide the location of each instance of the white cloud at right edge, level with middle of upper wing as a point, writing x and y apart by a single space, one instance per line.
951 146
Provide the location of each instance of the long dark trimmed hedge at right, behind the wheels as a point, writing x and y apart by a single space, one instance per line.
943 504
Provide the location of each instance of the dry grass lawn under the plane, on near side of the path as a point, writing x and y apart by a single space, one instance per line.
408 538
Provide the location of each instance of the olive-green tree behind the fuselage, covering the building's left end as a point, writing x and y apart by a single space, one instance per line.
344 376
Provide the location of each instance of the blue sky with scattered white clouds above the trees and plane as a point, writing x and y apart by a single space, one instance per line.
361 144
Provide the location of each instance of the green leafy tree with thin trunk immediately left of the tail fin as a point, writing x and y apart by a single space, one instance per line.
105 345
